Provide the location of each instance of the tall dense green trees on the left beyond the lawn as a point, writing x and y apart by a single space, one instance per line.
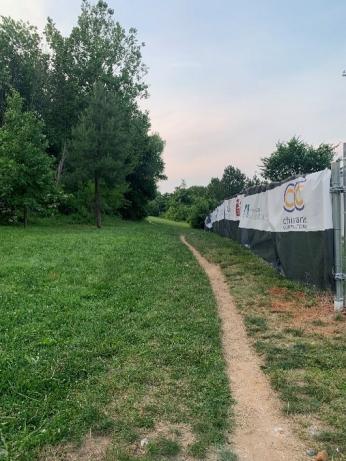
72 135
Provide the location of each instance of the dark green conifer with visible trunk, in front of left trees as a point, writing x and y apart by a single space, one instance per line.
101 148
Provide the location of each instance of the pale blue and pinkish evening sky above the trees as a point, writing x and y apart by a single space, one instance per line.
228 79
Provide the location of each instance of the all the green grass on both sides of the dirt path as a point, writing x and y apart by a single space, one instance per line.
114 333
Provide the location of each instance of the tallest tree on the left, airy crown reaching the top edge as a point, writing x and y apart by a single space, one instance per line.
98 49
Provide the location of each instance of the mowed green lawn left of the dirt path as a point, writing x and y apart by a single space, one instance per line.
111 333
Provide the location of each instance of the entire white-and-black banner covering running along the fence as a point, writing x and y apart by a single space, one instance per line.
288 224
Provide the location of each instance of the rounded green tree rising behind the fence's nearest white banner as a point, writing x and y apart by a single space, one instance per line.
294 158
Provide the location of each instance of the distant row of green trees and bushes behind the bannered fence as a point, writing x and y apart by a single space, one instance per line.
289 159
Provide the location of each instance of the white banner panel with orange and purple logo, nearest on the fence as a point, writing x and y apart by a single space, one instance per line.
302 204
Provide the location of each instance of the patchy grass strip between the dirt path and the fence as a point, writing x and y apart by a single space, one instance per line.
303 343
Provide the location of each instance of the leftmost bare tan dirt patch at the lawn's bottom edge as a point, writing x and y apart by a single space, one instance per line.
92 449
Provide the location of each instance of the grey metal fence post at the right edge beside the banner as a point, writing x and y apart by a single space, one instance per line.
336 190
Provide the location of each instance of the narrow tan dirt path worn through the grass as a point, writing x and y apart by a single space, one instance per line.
262 433
